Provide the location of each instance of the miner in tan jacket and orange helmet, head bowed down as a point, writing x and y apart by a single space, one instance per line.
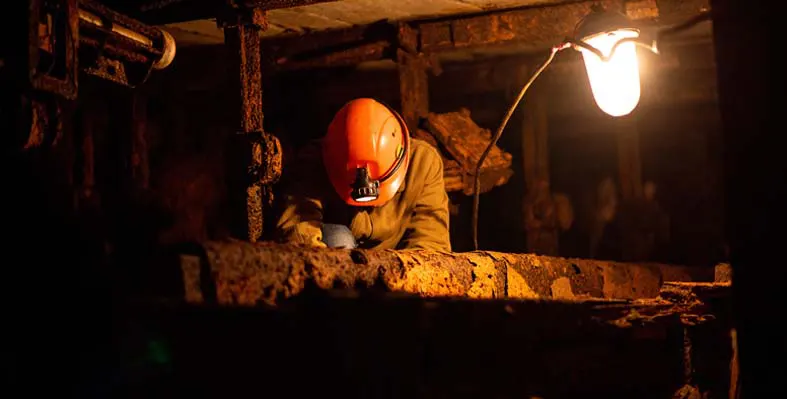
368 185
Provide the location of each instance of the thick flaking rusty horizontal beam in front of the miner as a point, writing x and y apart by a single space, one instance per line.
246 274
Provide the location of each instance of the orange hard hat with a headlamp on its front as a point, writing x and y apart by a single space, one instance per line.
366 152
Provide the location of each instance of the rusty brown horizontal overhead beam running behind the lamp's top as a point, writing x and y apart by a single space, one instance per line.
535 27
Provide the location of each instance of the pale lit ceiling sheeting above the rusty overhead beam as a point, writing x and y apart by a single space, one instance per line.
346 13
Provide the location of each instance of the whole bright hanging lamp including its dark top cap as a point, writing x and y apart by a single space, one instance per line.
614 80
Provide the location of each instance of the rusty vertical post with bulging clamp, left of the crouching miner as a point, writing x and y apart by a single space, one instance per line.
255 156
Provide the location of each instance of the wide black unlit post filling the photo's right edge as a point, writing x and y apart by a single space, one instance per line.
752 83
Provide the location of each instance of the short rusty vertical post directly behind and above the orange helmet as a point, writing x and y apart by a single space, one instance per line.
413 81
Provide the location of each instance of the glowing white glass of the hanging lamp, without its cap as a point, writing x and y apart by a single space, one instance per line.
615 83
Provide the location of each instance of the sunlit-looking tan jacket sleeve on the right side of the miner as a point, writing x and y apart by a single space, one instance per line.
428 225
